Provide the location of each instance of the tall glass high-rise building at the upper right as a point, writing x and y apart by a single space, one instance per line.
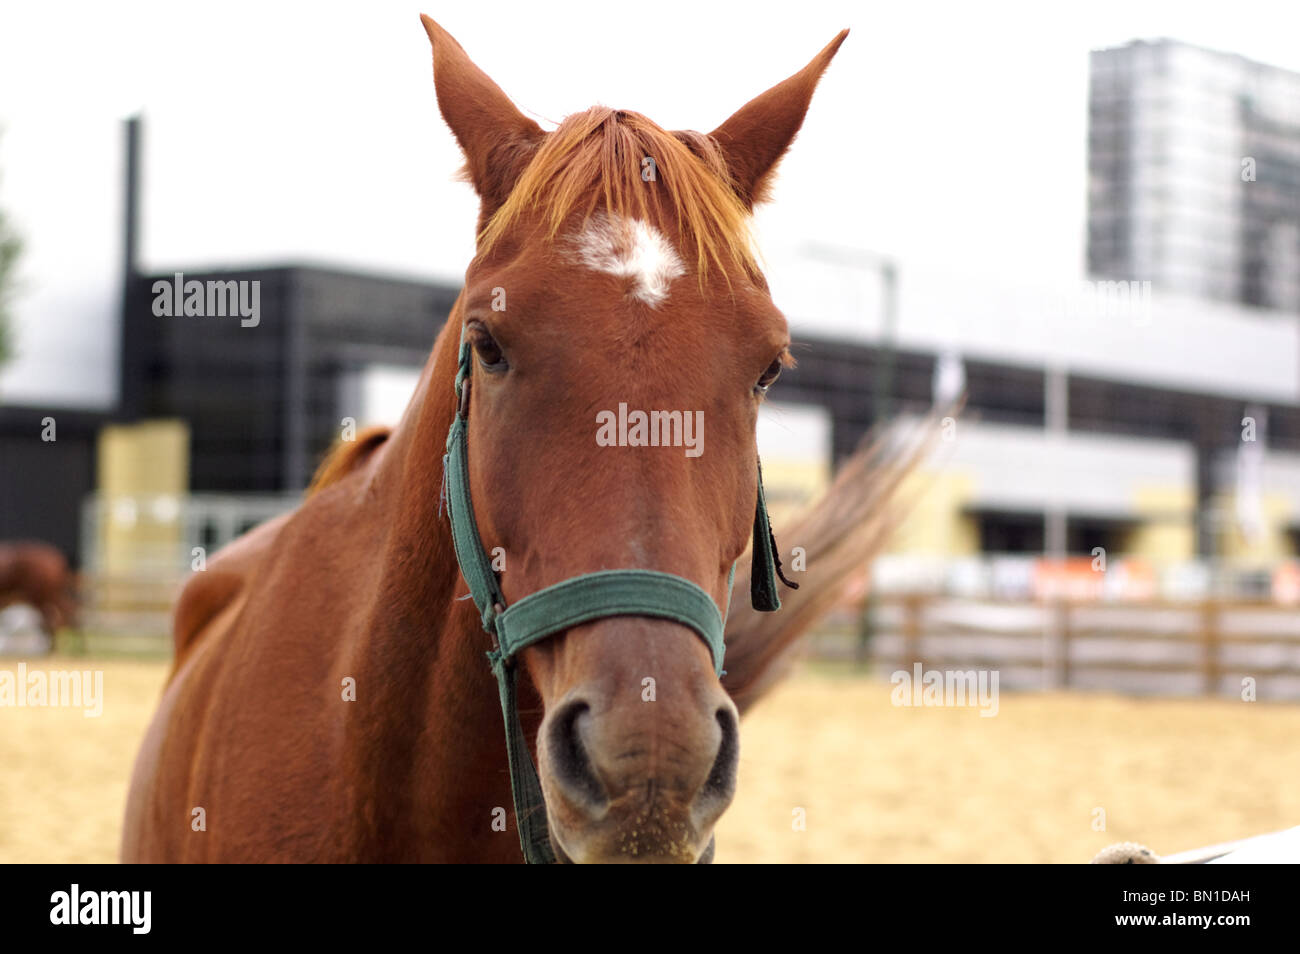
1194 162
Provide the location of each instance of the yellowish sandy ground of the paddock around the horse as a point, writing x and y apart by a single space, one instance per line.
830 773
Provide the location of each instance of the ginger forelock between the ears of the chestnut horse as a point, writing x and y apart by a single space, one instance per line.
600 155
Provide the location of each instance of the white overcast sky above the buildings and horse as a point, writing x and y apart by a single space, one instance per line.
950 136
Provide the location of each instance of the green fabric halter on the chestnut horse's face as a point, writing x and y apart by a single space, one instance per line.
570 604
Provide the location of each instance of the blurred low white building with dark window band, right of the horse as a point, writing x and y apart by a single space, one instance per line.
1132 422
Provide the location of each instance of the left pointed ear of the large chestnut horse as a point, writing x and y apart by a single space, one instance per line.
497 140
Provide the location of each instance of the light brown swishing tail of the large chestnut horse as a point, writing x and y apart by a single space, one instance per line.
840 534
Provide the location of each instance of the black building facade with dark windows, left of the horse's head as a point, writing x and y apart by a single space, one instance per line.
263 398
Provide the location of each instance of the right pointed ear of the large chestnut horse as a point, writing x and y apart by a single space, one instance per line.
759 135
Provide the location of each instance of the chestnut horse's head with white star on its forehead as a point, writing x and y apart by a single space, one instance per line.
619 339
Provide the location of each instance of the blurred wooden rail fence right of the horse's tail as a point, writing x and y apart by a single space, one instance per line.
1210 648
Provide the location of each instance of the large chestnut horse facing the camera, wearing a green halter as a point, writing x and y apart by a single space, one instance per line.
331 699
